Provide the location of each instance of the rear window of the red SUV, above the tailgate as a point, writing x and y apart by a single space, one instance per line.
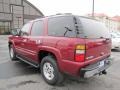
93 29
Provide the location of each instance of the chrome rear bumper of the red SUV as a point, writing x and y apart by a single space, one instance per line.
96 68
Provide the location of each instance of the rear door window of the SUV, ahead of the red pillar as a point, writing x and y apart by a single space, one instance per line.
37 28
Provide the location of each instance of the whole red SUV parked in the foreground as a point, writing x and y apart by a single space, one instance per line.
63 44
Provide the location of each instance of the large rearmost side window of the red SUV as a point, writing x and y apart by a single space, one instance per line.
61 26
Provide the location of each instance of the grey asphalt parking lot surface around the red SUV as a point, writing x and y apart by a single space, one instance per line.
20 76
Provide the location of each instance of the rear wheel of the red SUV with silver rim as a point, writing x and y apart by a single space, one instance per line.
50 71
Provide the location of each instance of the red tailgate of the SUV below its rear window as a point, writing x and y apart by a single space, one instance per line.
97 47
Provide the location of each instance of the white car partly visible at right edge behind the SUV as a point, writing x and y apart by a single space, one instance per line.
115 40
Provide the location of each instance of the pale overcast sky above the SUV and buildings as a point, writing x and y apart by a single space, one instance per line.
79 7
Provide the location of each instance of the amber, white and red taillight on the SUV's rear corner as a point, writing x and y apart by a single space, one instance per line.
80 53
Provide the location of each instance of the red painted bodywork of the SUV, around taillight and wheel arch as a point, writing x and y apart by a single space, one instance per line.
63 48
